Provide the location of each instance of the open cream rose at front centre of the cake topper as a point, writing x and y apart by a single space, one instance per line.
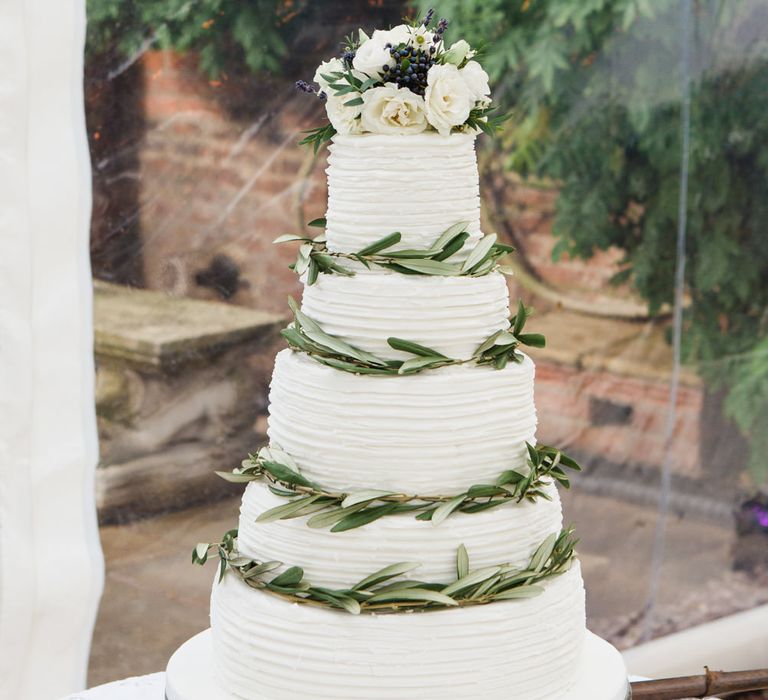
393 110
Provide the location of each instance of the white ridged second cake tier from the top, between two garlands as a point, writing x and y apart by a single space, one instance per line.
452 315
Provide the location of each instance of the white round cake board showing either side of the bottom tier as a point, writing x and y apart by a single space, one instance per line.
190 674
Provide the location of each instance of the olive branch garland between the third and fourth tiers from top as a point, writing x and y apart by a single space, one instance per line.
348 510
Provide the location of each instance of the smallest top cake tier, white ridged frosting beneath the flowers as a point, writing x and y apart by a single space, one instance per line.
416 184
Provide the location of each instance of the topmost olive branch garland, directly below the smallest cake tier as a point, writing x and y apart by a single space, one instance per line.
314 257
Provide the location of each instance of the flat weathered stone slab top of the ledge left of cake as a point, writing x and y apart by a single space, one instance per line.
153 330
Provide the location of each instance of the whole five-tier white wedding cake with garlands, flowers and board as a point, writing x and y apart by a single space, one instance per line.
402 535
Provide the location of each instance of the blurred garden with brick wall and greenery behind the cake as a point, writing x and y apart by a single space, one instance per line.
638 131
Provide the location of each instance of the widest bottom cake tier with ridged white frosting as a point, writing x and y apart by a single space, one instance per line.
265 648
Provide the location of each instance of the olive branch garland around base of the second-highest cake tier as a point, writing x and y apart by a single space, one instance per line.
307 336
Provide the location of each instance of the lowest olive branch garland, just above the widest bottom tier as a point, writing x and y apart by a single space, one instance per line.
381 593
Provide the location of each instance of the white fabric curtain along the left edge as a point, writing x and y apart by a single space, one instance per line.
51 568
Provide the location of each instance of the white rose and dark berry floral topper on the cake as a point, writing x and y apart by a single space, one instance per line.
403 80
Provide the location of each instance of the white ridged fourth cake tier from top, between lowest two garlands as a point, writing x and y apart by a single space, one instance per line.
510 533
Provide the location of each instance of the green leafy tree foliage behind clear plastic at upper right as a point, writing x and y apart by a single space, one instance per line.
596 90
